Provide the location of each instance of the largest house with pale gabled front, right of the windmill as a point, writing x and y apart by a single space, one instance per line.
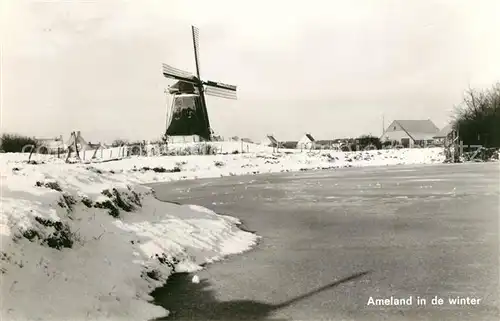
410 133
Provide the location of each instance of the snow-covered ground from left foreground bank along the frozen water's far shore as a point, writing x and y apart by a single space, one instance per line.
88 241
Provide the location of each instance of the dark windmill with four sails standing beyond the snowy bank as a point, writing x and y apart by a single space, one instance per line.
189 115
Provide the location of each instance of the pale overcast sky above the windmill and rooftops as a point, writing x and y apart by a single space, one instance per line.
332 68
